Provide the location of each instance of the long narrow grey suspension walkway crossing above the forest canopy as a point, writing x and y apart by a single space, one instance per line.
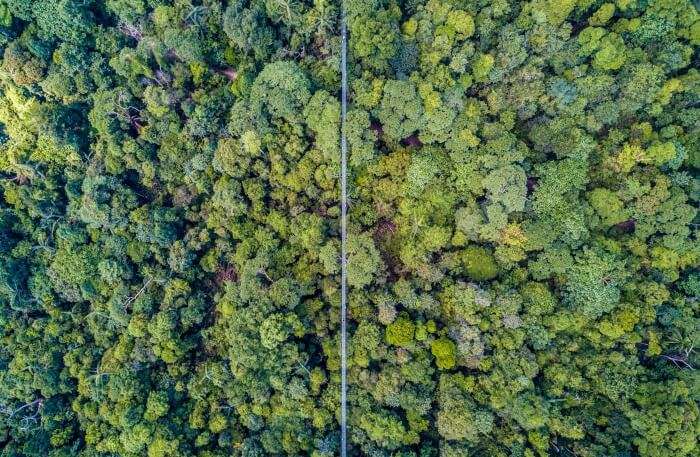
343 229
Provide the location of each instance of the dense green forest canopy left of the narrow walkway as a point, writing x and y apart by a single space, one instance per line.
160 227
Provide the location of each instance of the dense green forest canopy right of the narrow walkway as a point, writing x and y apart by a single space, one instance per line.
527 181
